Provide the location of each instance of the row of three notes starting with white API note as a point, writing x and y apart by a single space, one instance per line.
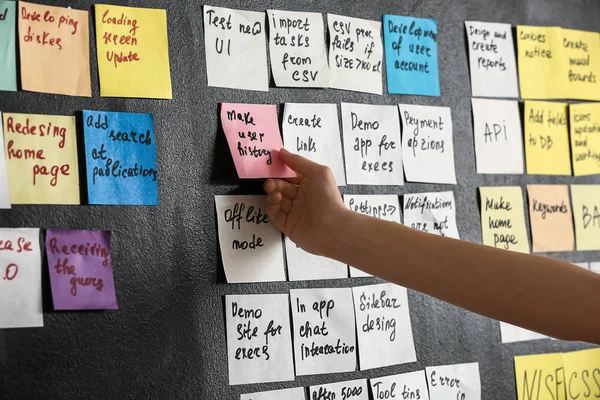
499 139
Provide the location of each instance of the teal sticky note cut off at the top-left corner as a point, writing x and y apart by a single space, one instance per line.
8 59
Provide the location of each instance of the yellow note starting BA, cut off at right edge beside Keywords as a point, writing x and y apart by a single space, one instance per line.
586 213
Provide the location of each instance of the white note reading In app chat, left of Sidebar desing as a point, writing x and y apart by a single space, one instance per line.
324 339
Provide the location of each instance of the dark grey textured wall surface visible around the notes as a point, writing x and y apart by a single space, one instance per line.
167 340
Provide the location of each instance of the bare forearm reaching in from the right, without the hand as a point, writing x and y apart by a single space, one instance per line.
542 294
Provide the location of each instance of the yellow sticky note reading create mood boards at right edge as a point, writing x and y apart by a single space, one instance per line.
582 56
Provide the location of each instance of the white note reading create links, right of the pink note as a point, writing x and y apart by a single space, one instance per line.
312 131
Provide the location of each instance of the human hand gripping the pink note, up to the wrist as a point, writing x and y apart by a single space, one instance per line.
306 208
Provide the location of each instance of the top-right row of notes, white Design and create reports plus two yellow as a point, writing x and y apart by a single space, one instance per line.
554 63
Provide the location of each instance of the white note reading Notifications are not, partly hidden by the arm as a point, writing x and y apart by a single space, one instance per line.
432 213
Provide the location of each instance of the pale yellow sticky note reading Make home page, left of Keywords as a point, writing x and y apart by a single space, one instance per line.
503 218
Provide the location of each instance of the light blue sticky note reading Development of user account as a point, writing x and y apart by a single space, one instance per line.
411 55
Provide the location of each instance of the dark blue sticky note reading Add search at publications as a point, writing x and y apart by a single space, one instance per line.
120 155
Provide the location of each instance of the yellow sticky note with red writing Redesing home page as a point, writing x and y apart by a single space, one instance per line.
41 159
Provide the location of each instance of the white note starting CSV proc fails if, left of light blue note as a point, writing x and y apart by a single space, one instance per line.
355 54
